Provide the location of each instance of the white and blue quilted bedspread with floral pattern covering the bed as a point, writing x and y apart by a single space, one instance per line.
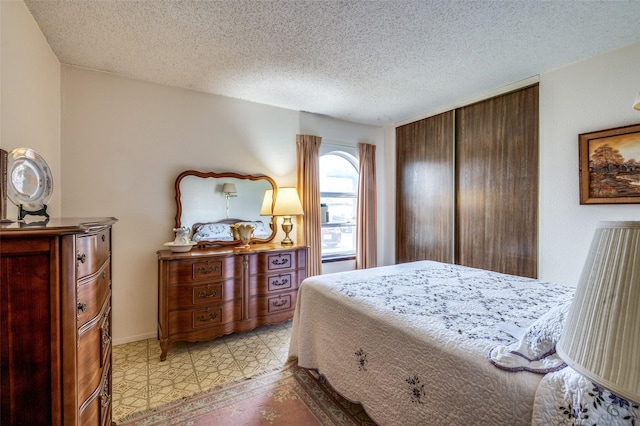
410 342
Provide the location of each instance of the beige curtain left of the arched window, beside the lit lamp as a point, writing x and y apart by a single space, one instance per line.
308 149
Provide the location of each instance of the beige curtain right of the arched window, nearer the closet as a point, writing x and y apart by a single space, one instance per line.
366 237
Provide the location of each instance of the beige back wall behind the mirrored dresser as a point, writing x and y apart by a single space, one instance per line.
124 143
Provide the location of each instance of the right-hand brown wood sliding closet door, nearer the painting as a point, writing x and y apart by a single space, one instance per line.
497 183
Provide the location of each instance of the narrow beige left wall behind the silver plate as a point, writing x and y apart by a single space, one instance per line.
29 93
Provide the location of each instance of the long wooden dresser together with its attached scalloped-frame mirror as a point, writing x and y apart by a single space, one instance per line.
218 287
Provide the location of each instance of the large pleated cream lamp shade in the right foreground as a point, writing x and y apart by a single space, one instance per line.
601 338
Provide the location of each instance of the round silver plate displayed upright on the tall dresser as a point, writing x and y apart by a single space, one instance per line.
29 180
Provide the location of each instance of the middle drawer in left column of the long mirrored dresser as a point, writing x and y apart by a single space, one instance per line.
189 295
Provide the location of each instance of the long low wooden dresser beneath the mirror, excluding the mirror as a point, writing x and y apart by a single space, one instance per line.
207 293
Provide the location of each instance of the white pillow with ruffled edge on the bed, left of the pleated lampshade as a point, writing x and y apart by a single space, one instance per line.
535 351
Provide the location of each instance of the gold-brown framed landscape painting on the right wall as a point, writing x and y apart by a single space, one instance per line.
610 166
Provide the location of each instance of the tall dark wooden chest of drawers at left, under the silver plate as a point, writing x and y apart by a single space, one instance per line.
55 322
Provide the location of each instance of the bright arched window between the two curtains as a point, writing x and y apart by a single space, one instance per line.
338 204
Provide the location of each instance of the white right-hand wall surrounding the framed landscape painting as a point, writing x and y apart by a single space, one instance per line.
587 96
